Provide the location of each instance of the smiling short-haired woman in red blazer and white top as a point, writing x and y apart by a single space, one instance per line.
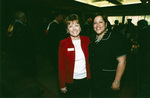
74 72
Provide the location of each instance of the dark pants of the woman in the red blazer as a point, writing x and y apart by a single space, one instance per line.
79 89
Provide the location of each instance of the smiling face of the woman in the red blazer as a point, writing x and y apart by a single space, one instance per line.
74 29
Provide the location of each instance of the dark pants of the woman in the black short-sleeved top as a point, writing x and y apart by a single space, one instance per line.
101 86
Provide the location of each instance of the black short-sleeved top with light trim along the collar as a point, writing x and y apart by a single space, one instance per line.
103 54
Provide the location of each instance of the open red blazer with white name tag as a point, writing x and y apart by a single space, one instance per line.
66 59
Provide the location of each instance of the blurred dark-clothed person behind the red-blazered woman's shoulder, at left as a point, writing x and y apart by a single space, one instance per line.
54 35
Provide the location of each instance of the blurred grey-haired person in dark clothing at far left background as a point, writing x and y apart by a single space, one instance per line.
21 45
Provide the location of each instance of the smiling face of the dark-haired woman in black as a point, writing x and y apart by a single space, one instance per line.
99 25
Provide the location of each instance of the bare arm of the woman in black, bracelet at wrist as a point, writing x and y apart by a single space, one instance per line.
119 72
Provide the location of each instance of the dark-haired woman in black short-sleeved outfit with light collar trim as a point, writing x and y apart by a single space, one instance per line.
107 59
